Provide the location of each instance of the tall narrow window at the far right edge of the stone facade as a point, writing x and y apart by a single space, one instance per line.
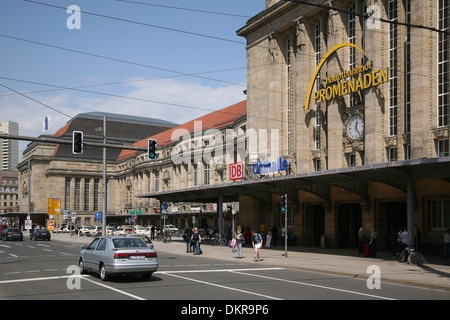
444 64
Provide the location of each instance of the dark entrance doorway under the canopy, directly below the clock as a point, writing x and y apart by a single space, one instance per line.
348 224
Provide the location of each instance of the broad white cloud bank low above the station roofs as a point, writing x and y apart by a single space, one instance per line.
179 102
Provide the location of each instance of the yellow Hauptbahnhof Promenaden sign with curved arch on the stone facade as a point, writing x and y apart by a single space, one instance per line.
339 85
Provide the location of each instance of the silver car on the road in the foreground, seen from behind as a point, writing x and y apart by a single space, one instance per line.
118 255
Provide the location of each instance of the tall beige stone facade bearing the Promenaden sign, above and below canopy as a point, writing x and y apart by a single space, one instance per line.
285 45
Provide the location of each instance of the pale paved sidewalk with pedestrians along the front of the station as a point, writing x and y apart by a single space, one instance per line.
336 261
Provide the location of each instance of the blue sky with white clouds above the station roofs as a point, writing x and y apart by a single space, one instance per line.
174 60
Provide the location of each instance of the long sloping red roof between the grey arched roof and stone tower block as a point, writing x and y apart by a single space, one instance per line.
214 120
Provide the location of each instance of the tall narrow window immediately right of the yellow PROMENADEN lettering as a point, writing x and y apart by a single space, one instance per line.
393 68
